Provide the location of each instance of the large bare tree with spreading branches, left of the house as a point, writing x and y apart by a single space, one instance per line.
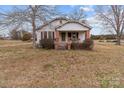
35 15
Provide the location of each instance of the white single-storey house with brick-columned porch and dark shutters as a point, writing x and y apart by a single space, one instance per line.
62 31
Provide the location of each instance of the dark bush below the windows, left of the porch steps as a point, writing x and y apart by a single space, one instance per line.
47 43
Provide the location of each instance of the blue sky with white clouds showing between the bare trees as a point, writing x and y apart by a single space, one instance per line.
89 10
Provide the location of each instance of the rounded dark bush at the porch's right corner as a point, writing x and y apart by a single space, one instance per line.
88 44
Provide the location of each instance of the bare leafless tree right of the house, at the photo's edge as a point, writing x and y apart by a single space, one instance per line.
112 18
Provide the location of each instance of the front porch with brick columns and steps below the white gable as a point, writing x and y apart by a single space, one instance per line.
63 39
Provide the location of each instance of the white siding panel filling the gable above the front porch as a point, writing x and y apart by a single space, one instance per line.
73 27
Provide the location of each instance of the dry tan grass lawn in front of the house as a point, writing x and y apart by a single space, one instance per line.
23 66
